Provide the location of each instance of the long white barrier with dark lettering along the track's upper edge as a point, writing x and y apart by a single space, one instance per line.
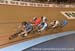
33 4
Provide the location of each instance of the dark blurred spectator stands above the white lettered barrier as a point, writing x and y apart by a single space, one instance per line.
49 1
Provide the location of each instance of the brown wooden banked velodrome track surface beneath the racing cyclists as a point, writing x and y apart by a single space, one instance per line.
12 16
